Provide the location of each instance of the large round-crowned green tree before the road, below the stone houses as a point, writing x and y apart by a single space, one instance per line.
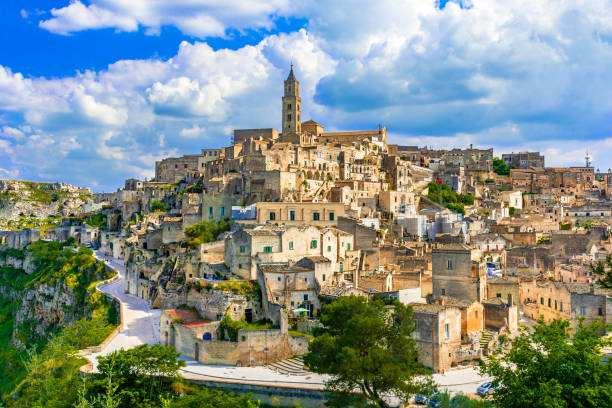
367 346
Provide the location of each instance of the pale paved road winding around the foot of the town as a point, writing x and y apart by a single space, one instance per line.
141 326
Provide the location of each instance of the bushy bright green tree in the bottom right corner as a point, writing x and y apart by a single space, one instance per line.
542 368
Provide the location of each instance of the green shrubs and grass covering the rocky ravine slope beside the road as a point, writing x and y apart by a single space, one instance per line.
56 265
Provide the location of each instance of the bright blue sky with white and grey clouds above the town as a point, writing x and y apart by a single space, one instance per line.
94 91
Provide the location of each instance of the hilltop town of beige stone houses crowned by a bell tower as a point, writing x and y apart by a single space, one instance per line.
240 246
